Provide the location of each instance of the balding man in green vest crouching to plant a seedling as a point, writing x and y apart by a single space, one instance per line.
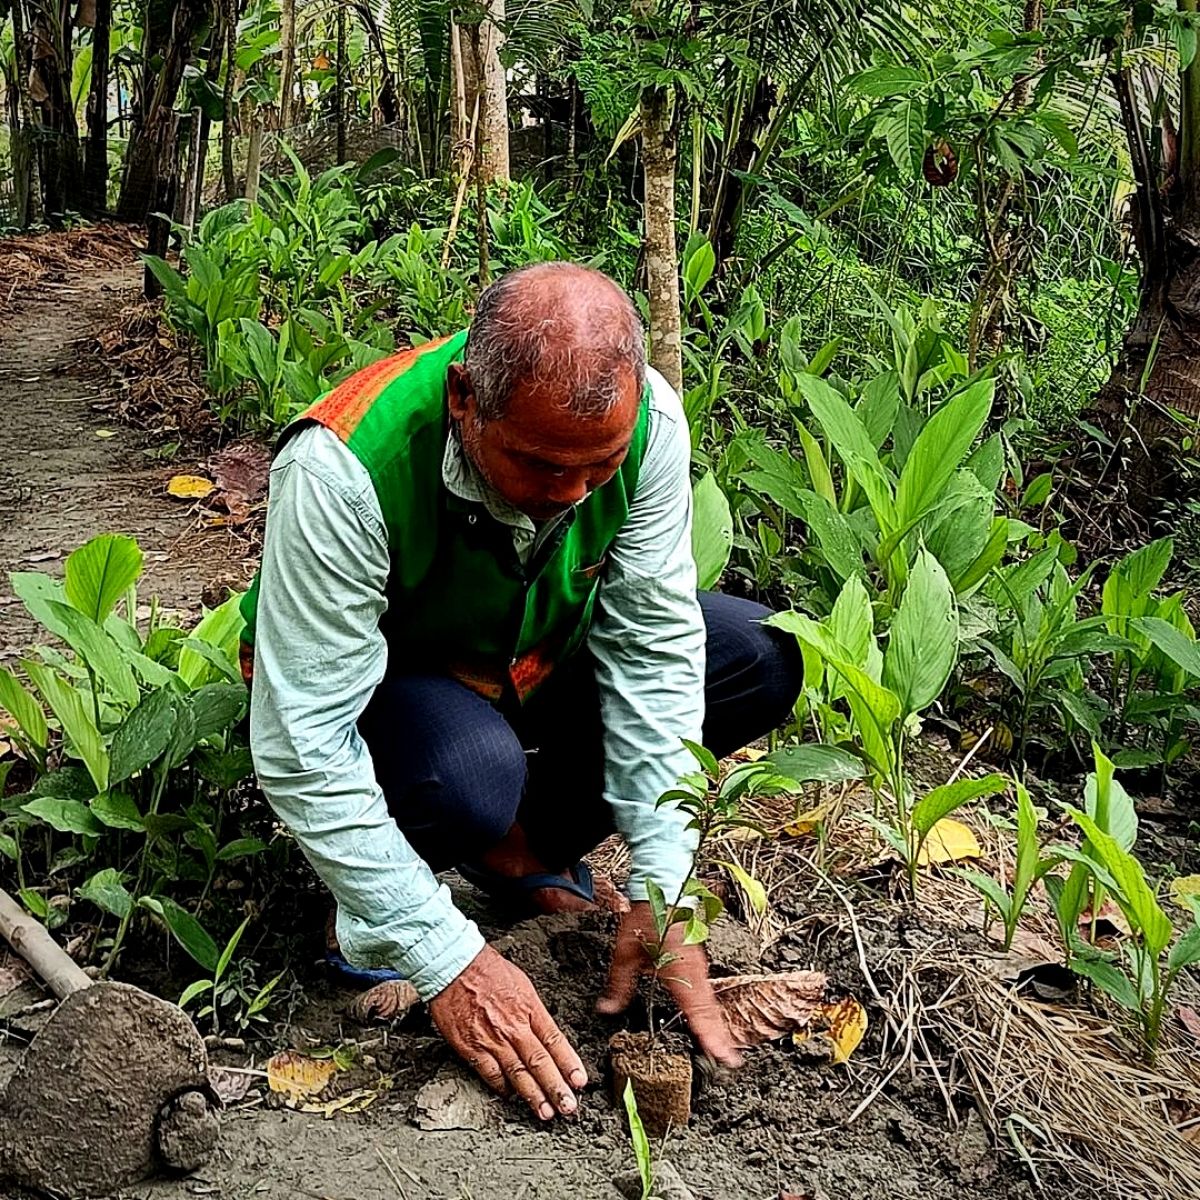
477 643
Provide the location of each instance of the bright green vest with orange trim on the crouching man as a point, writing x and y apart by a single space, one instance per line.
460 603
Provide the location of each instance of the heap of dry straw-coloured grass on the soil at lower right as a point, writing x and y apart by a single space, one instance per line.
1064 1085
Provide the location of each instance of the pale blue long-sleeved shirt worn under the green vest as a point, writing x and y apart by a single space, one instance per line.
320 656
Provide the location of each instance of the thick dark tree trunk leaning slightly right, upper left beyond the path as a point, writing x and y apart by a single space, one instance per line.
152 163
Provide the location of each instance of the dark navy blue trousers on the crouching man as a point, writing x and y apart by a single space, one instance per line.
458 772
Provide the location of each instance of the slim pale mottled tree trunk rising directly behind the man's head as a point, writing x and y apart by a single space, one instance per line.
662 254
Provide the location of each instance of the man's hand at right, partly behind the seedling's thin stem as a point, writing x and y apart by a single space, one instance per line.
686 977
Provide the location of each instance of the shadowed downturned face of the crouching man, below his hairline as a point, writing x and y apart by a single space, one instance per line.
539 457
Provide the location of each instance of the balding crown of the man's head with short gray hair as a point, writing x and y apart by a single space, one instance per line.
561 323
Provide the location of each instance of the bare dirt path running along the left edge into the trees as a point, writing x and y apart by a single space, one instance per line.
70 471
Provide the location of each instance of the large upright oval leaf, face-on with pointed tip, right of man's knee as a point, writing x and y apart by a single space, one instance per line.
925 643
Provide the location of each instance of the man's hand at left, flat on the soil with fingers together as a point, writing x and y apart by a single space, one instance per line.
494 1019
